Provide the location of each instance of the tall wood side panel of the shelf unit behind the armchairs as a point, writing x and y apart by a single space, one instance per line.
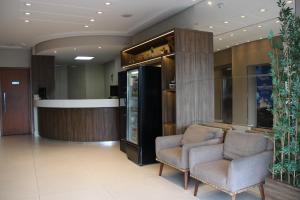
194 78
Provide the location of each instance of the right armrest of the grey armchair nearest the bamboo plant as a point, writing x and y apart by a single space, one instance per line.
248 171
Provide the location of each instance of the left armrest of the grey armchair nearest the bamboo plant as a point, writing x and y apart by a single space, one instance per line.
204 154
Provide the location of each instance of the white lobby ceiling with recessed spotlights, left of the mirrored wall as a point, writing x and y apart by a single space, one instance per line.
51 19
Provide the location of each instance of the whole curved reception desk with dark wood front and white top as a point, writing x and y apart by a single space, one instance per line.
77 120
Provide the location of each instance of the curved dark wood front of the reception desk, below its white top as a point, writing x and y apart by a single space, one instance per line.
79 124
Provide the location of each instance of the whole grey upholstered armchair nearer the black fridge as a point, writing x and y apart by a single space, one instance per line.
174 150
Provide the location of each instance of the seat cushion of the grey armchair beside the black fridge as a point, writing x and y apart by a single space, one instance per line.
171 156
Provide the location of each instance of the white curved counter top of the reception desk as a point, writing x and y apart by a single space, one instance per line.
77 103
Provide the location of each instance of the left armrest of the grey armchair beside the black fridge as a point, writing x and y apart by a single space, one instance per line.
166 142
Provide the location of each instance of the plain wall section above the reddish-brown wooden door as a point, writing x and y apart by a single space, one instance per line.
15 57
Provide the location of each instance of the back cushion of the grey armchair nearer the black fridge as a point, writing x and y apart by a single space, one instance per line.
197 133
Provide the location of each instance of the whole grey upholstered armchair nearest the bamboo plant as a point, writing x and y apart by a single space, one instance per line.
233 167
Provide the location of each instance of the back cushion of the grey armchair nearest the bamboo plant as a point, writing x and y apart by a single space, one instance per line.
238 145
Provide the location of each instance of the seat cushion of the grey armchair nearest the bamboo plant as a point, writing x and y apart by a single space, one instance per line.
214 172
